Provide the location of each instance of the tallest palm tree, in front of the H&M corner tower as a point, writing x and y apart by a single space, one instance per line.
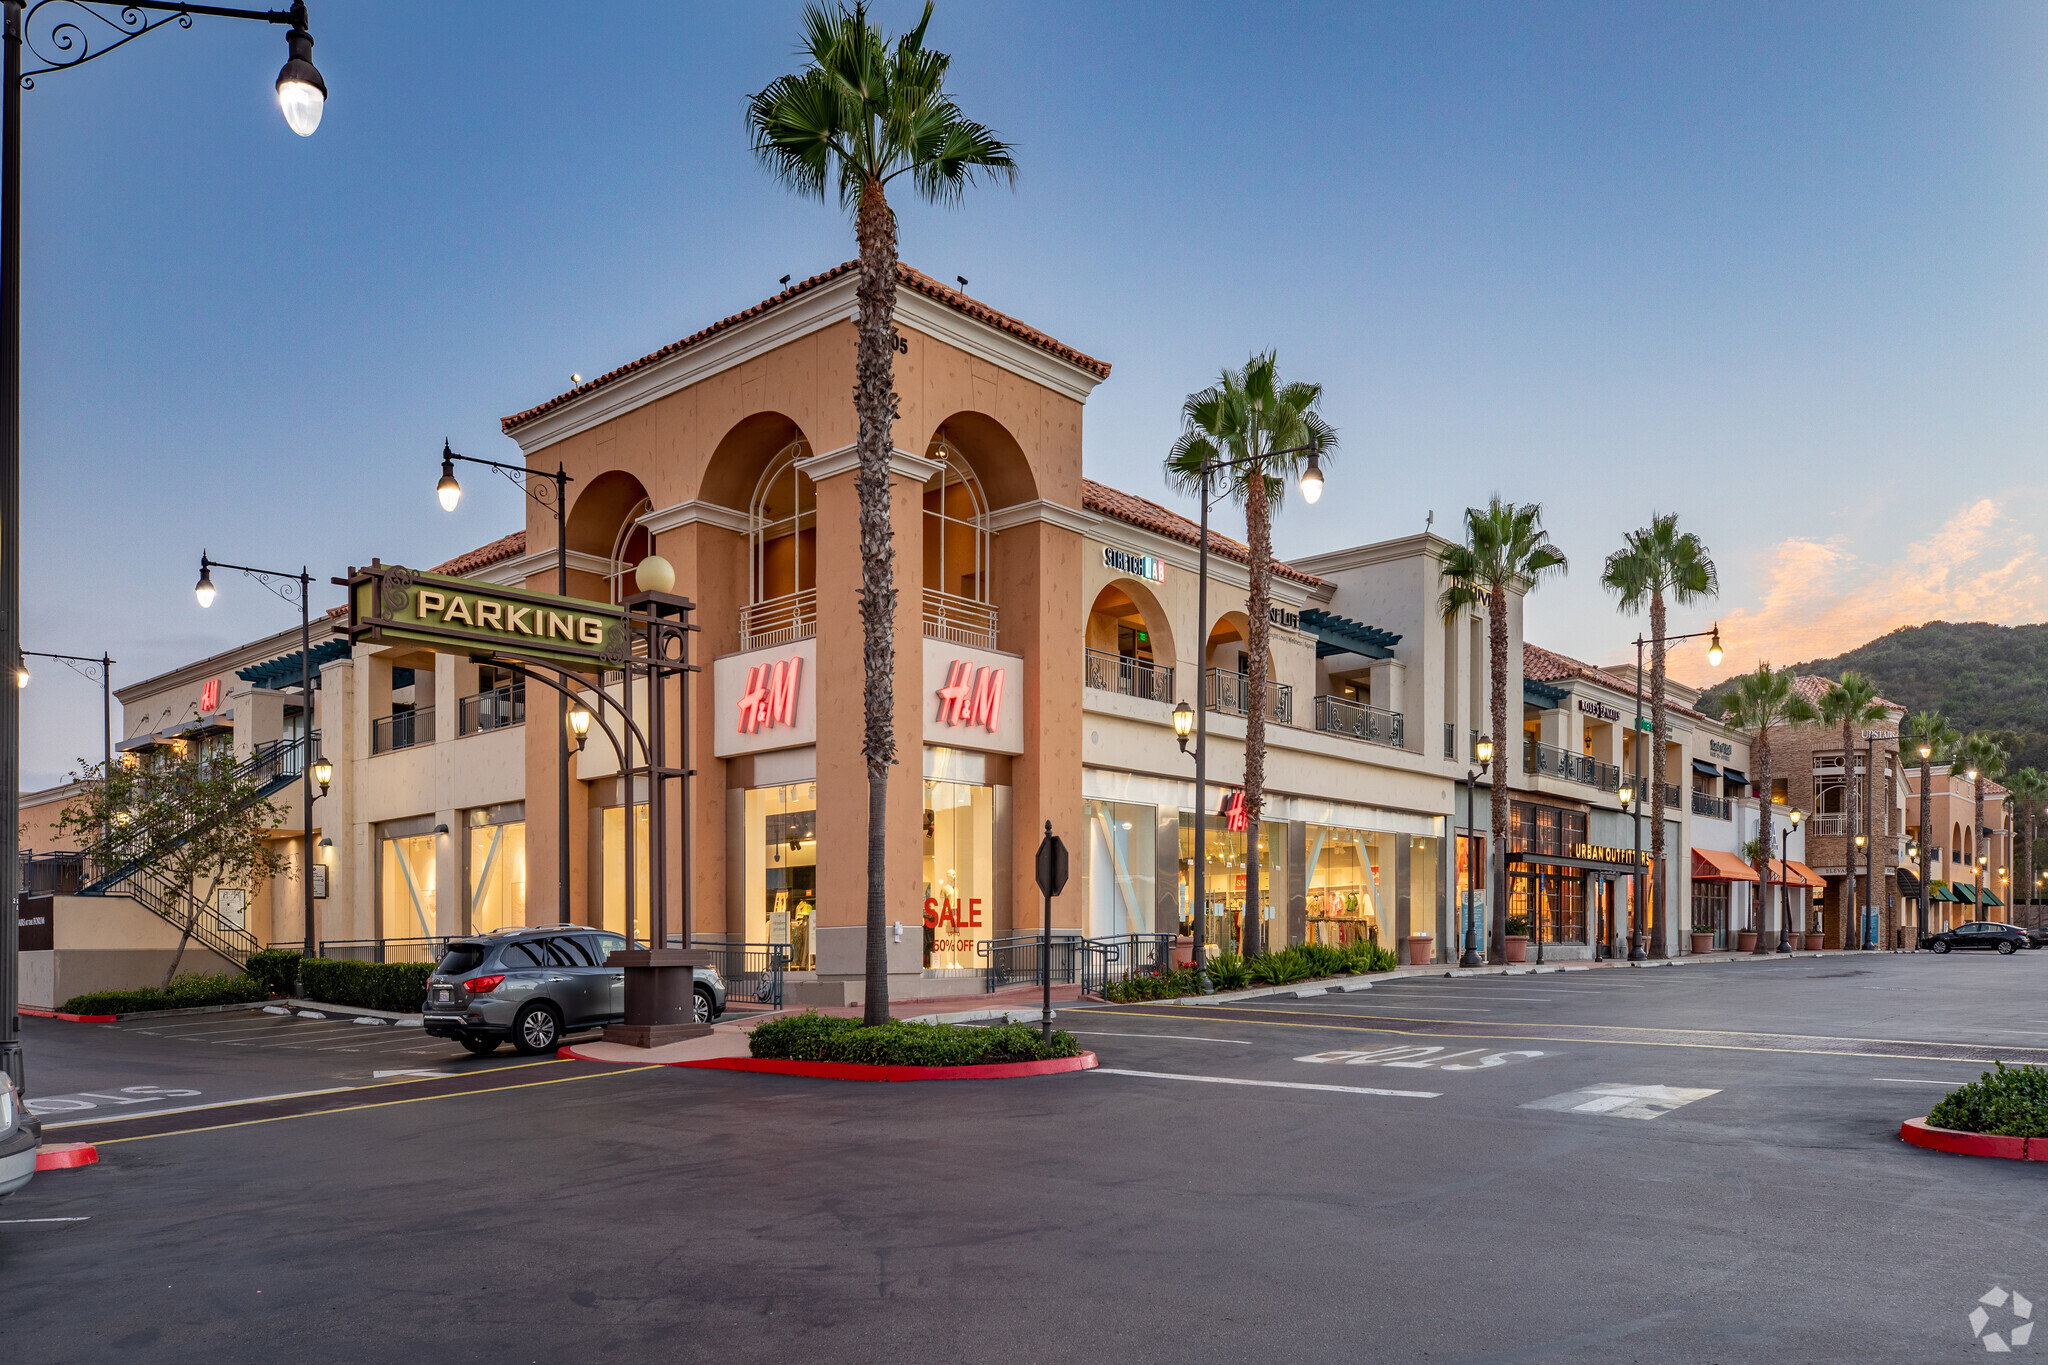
863 114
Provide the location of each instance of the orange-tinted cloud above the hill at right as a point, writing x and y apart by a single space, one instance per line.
1822 599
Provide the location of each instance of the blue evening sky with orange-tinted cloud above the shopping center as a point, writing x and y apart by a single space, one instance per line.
1775 267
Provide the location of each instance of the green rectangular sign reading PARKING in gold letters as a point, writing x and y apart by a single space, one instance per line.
394 605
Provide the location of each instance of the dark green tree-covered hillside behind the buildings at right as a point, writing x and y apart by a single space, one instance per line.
1979 676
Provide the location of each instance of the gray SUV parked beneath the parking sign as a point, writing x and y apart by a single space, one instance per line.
531 985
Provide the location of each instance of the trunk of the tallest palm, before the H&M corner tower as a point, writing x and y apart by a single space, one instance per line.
876 404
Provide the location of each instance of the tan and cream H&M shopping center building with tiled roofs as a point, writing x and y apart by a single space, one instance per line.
1046 629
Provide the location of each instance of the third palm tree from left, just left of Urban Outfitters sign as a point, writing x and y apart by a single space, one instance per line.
1506 549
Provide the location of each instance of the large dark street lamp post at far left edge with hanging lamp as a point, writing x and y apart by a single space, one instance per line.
77 36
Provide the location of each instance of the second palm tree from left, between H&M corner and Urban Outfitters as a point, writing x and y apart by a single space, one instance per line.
1269 425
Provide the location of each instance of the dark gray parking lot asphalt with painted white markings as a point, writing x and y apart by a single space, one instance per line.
1590 1165
